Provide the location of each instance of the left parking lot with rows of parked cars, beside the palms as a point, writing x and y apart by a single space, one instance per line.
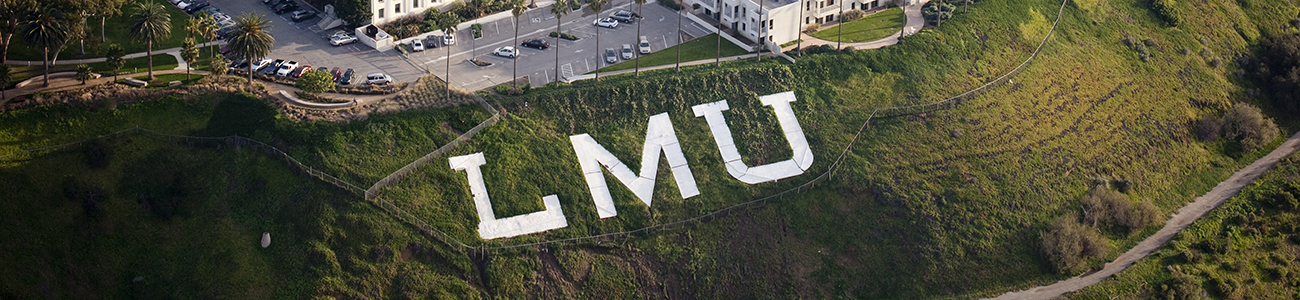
300 42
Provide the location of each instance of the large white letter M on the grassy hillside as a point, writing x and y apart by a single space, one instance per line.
660 138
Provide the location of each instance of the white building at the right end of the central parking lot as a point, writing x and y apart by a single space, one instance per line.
779 21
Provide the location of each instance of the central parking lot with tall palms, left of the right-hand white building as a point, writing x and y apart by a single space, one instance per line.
577 58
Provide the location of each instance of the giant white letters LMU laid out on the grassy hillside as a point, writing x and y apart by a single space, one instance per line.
661 138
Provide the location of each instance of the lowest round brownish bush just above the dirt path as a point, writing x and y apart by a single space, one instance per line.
1069 245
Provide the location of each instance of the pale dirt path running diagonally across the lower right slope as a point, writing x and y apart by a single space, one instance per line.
1186 216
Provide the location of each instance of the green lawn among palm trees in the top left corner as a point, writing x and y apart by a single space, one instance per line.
116 32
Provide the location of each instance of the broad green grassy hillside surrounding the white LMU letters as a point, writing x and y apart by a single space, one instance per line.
947 203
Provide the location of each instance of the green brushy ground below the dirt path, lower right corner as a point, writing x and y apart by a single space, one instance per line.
1246 249
